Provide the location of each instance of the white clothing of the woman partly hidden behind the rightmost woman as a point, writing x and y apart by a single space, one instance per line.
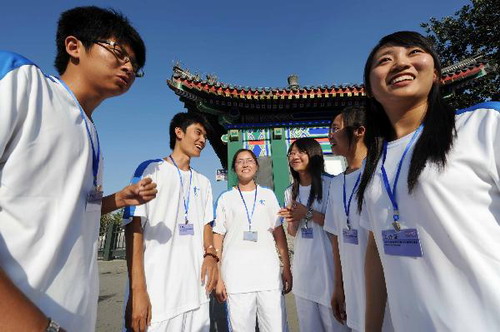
351 255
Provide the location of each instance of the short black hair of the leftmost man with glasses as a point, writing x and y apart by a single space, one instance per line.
92 23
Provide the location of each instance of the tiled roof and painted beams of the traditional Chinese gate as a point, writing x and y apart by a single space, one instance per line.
300 111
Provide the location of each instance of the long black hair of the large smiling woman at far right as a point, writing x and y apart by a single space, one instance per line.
438 133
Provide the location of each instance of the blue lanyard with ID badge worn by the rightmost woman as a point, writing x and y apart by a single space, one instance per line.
398 241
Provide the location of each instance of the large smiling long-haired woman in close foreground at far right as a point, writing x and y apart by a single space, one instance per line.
429 195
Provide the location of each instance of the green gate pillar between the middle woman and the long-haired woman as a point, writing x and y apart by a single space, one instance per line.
281 176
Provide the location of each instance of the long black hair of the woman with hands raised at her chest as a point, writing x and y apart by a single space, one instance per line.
316 168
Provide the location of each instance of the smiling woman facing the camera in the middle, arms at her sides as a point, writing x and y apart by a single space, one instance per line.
248 230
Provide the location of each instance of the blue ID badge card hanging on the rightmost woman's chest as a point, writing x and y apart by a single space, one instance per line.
402 243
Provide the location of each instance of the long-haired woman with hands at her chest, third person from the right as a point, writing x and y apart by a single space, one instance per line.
312 267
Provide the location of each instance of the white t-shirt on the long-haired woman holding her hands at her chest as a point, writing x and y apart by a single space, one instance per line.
312 265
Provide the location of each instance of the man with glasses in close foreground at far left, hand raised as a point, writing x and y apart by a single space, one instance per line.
51 171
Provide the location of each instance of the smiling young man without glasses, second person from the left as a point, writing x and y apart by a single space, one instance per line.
171 259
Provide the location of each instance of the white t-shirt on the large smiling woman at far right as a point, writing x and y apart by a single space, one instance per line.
454 286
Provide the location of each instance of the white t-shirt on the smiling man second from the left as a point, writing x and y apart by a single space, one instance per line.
172 262
